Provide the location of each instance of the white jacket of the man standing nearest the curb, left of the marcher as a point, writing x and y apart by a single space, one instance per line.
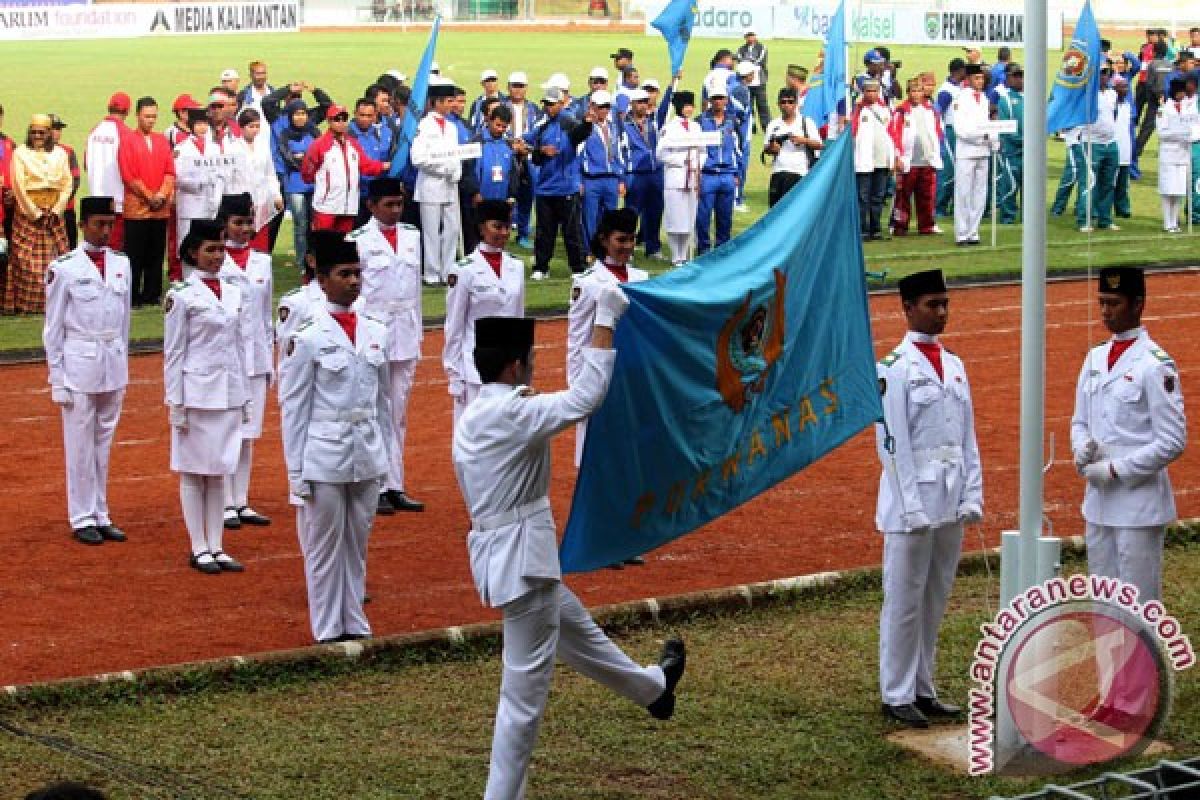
334 399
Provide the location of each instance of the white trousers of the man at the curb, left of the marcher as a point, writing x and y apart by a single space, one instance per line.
334 527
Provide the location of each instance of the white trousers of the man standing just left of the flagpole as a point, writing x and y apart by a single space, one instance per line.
919 574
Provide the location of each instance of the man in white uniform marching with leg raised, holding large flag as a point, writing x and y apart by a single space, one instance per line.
502 462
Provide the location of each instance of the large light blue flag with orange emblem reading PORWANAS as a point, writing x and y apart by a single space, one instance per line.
733 374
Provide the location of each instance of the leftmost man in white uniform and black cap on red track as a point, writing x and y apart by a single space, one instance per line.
87 338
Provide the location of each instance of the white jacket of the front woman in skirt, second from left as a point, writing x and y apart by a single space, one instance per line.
202 346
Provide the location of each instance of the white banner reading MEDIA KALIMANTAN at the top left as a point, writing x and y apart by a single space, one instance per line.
129 21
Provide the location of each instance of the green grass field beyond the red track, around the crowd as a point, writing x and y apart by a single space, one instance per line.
74 80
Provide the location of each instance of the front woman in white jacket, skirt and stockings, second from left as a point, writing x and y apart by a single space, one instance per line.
205 372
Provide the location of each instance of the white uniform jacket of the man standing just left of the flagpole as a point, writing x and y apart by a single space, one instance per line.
932 468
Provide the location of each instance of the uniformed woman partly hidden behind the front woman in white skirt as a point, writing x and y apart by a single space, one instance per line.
251 273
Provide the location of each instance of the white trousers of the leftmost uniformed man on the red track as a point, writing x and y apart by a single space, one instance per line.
88 429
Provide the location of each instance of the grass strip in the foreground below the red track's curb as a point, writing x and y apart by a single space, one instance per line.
781 702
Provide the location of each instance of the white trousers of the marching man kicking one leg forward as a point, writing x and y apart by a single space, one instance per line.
545 623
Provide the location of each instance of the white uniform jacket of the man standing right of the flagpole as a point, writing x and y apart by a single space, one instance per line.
1136 414
